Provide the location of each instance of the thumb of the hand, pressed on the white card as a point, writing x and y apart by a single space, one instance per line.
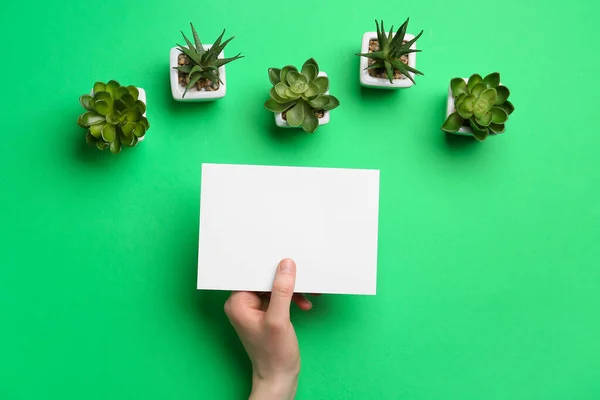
283 290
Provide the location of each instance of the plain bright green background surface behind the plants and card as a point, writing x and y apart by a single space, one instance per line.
488 283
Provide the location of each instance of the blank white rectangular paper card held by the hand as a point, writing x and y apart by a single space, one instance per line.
325 219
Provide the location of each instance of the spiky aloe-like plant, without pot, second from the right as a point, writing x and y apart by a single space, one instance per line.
391 49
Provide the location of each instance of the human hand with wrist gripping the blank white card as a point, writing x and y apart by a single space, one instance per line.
265 330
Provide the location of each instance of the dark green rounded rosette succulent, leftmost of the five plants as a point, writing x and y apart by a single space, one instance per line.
114 116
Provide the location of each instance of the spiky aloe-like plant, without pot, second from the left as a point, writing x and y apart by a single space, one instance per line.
203 63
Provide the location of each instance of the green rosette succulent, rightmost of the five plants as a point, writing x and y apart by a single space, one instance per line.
480 102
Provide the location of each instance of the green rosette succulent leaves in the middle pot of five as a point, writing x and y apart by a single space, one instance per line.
300 94
